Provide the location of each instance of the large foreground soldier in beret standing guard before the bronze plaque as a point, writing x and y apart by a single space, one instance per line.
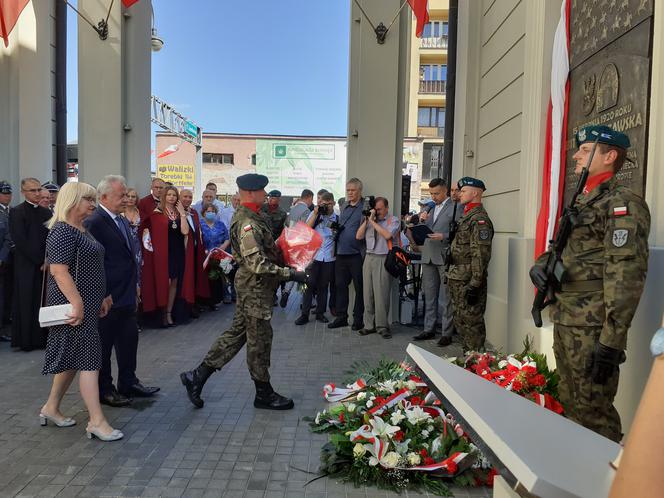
606 259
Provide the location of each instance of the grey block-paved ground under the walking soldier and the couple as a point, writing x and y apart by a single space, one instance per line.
228 448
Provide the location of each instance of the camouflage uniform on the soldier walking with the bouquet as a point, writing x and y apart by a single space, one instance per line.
256 279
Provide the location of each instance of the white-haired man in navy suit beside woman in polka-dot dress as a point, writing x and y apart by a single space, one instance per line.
118 329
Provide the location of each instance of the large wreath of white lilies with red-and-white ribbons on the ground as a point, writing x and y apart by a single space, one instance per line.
387 429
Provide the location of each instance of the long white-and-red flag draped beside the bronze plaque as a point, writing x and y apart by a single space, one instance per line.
556 131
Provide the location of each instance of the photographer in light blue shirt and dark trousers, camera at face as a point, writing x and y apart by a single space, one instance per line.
322 269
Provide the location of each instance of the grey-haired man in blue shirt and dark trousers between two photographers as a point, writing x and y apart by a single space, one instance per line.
348 265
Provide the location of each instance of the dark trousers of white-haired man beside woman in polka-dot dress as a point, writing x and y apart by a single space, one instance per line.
118 329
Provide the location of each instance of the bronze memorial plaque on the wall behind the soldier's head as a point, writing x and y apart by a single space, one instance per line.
610 63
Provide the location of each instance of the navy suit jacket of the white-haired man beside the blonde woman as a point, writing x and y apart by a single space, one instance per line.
119 260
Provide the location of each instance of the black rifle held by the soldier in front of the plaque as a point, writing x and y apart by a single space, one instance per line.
554 269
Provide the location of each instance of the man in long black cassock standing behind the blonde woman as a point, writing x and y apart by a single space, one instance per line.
28 232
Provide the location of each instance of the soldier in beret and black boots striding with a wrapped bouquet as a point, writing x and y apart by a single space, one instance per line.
258 276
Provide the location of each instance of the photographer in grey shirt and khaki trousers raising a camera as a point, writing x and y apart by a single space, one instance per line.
378 228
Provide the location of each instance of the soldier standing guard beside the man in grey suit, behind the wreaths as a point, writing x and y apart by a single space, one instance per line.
467 274
